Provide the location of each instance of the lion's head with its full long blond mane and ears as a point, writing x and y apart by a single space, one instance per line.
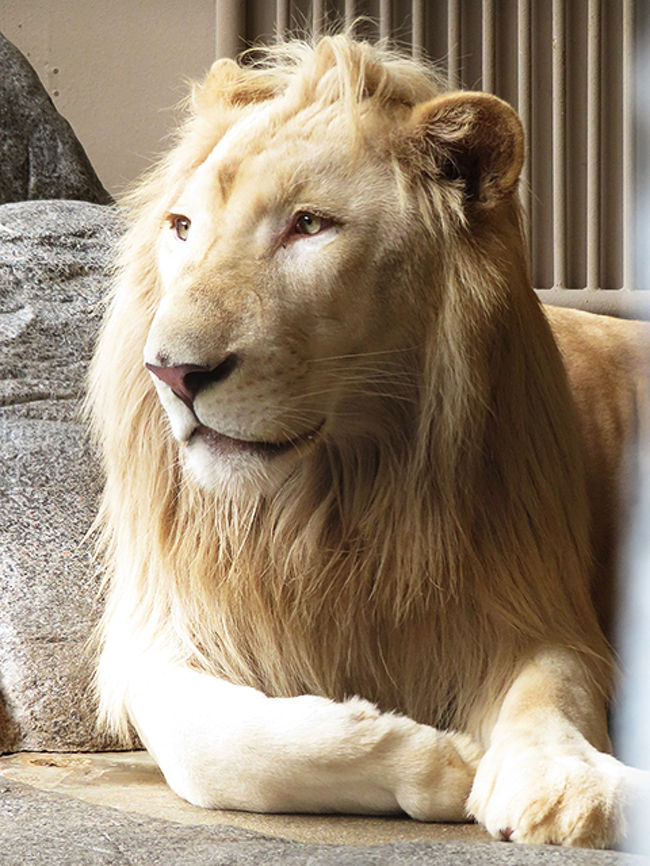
364 410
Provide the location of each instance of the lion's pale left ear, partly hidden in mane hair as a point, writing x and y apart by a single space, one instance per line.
233 84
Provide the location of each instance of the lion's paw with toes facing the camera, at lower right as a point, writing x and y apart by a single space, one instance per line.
563 796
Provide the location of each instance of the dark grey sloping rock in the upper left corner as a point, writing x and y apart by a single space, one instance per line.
40 156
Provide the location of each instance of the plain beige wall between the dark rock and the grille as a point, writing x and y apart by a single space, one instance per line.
115 69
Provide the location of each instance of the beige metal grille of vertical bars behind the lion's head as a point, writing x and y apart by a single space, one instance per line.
570 75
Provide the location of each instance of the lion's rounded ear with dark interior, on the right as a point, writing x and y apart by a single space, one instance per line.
473 137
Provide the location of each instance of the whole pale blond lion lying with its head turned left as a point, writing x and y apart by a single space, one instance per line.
358 510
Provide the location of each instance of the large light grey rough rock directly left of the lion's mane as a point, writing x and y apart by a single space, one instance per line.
53 274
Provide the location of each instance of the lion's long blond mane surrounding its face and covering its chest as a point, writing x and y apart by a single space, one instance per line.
413 557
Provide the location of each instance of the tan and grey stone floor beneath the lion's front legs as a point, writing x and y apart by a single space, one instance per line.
115 808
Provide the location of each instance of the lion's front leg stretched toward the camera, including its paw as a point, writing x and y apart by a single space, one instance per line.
546 777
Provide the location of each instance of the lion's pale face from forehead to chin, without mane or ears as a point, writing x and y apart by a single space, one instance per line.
282 313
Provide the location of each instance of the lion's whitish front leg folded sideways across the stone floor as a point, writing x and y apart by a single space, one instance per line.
221 745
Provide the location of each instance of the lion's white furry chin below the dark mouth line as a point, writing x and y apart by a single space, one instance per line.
243 468
